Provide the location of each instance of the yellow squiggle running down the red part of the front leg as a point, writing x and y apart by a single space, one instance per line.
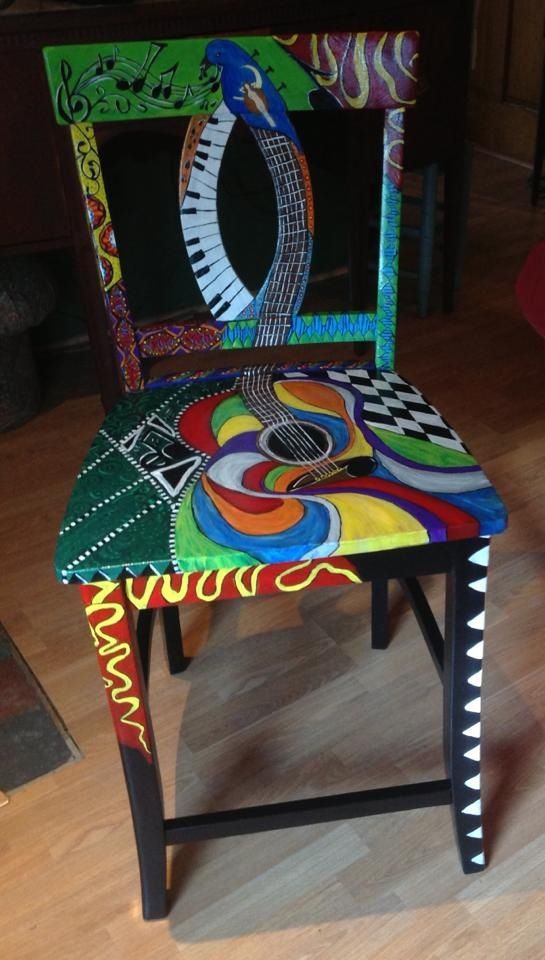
110 647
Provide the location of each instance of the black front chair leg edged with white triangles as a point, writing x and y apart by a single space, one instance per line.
466 586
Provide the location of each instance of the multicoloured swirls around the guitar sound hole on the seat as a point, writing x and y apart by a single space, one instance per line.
246 507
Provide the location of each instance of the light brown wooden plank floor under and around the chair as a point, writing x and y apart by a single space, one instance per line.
286 699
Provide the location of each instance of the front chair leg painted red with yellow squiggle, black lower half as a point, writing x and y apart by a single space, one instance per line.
110 620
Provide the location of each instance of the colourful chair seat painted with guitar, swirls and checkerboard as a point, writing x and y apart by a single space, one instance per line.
341 461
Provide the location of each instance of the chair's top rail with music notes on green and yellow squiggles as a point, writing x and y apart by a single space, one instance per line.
143 80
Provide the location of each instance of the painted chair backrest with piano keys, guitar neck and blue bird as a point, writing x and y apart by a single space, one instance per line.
260 80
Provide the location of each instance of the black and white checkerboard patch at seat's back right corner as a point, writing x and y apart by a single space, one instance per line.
394 404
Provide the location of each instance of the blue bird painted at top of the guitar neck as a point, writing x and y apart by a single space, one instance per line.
247 90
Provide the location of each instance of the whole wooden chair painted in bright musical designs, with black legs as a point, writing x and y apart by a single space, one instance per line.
265 478
